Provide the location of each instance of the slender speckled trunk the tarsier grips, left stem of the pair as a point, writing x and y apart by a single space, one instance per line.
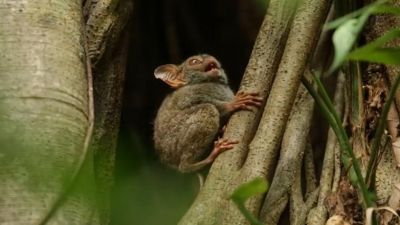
258 77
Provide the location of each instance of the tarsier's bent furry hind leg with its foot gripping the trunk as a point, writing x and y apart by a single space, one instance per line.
202 129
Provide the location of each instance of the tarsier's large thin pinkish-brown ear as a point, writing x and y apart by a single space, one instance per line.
170 74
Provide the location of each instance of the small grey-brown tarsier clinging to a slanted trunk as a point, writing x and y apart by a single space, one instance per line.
190 118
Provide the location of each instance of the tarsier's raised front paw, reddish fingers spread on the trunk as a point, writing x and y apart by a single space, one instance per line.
245 101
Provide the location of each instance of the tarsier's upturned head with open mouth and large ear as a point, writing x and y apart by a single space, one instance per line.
196 69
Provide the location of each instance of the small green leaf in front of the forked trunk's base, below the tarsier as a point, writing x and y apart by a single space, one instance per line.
247 190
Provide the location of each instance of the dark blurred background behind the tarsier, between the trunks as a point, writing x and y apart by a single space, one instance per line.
168 31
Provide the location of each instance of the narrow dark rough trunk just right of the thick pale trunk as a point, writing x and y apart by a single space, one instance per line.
108 87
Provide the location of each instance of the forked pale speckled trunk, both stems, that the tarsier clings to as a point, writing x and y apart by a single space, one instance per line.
235 167
